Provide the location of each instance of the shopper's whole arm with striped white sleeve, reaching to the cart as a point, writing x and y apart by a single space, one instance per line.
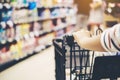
108 41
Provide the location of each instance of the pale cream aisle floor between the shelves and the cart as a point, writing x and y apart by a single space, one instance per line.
38 67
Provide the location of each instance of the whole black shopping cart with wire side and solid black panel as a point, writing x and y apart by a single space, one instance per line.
82 63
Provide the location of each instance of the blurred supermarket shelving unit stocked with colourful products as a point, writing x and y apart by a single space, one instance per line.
29 26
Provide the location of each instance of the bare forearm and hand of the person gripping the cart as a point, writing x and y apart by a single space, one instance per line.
85 41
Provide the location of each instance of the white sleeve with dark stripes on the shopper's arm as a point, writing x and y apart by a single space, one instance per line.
110 39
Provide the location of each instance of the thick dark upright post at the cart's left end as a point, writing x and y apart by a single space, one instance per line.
59 59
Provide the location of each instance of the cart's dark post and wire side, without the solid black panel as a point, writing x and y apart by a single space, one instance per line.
69 55
